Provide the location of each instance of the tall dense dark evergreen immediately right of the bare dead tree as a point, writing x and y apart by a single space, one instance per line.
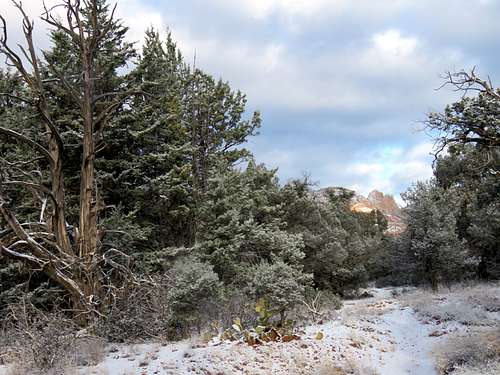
146 168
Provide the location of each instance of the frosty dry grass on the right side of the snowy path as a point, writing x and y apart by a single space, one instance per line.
475 305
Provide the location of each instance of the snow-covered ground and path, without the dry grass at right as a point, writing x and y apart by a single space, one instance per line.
379 335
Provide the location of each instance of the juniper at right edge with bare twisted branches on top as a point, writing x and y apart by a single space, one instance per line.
470 132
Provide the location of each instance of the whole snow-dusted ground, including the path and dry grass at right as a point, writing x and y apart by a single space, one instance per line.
397 331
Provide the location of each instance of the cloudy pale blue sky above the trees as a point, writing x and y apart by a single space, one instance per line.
343 85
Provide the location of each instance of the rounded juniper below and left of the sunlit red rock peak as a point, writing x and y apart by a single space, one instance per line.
338 243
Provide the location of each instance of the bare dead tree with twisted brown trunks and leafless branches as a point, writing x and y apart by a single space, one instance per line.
45 245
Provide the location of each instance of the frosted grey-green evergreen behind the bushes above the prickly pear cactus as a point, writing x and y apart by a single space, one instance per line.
240 223
